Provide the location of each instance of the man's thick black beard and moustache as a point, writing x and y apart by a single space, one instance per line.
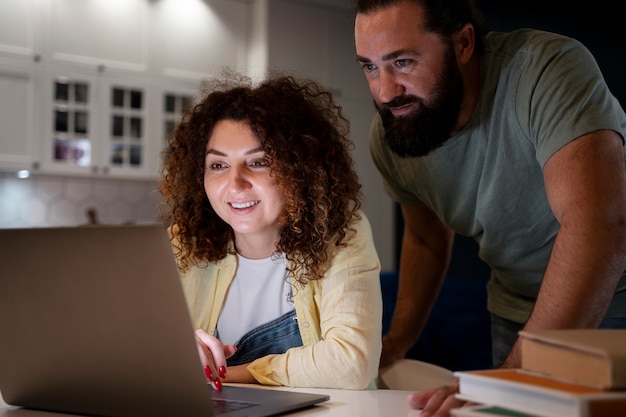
429 126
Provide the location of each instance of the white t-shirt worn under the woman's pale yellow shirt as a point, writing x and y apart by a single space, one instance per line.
259 293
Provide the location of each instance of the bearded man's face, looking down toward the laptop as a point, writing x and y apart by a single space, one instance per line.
413 77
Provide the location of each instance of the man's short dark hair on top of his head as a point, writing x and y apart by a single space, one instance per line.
443 17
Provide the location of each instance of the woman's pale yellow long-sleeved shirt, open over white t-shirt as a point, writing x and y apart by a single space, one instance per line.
339 316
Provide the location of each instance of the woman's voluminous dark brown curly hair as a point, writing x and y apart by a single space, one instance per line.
306 140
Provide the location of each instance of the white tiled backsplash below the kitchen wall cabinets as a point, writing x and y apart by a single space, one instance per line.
41 201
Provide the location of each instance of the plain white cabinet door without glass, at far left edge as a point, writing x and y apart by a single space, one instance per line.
17 117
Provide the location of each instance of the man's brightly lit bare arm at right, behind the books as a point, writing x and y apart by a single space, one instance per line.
585 183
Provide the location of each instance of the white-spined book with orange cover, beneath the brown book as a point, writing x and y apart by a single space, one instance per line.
533 394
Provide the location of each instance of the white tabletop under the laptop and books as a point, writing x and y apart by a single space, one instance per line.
342 403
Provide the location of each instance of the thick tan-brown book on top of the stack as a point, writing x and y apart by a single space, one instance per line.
591 357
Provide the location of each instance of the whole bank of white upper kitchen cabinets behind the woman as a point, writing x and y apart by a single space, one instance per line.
92 88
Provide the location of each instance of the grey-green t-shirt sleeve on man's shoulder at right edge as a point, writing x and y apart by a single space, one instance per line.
562 95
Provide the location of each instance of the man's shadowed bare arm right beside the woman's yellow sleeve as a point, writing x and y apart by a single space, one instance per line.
424 259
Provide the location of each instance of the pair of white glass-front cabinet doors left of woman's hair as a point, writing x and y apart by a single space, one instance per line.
97 125
